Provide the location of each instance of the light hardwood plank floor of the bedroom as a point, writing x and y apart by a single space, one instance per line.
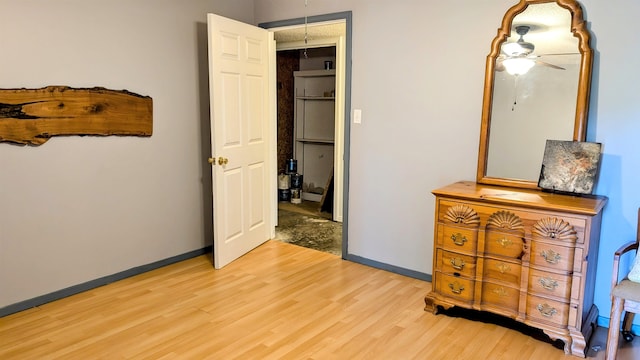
280 301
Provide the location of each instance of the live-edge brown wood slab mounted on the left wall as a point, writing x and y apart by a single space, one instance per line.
32 116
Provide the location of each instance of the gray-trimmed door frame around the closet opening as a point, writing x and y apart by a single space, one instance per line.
345 16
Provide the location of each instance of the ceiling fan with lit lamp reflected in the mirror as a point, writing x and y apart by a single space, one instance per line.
517 58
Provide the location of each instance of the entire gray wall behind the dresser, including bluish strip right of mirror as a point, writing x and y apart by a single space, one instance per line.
418 73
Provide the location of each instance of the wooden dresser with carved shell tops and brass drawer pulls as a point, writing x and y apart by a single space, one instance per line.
524 254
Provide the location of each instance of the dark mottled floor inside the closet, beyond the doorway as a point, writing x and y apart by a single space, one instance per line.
304 225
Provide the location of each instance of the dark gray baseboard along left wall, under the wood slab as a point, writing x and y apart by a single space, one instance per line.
92 284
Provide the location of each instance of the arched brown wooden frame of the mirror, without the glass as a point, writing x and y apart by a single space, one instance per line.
579 30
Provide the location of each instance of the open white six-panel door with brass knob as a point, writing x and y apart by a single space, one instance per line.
239 95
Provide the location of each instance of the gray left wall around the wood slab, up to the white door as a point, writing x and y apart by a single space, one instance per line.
80 208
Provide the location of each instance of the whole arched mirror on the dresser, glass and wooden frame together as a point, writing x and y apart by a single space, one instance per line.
546 99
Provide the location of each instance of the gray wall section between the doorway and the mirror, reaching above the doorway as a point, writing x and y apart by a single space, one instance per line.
418 72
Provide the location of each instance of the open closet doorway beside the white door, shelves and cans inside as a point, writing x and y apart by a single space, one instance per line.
311 131
